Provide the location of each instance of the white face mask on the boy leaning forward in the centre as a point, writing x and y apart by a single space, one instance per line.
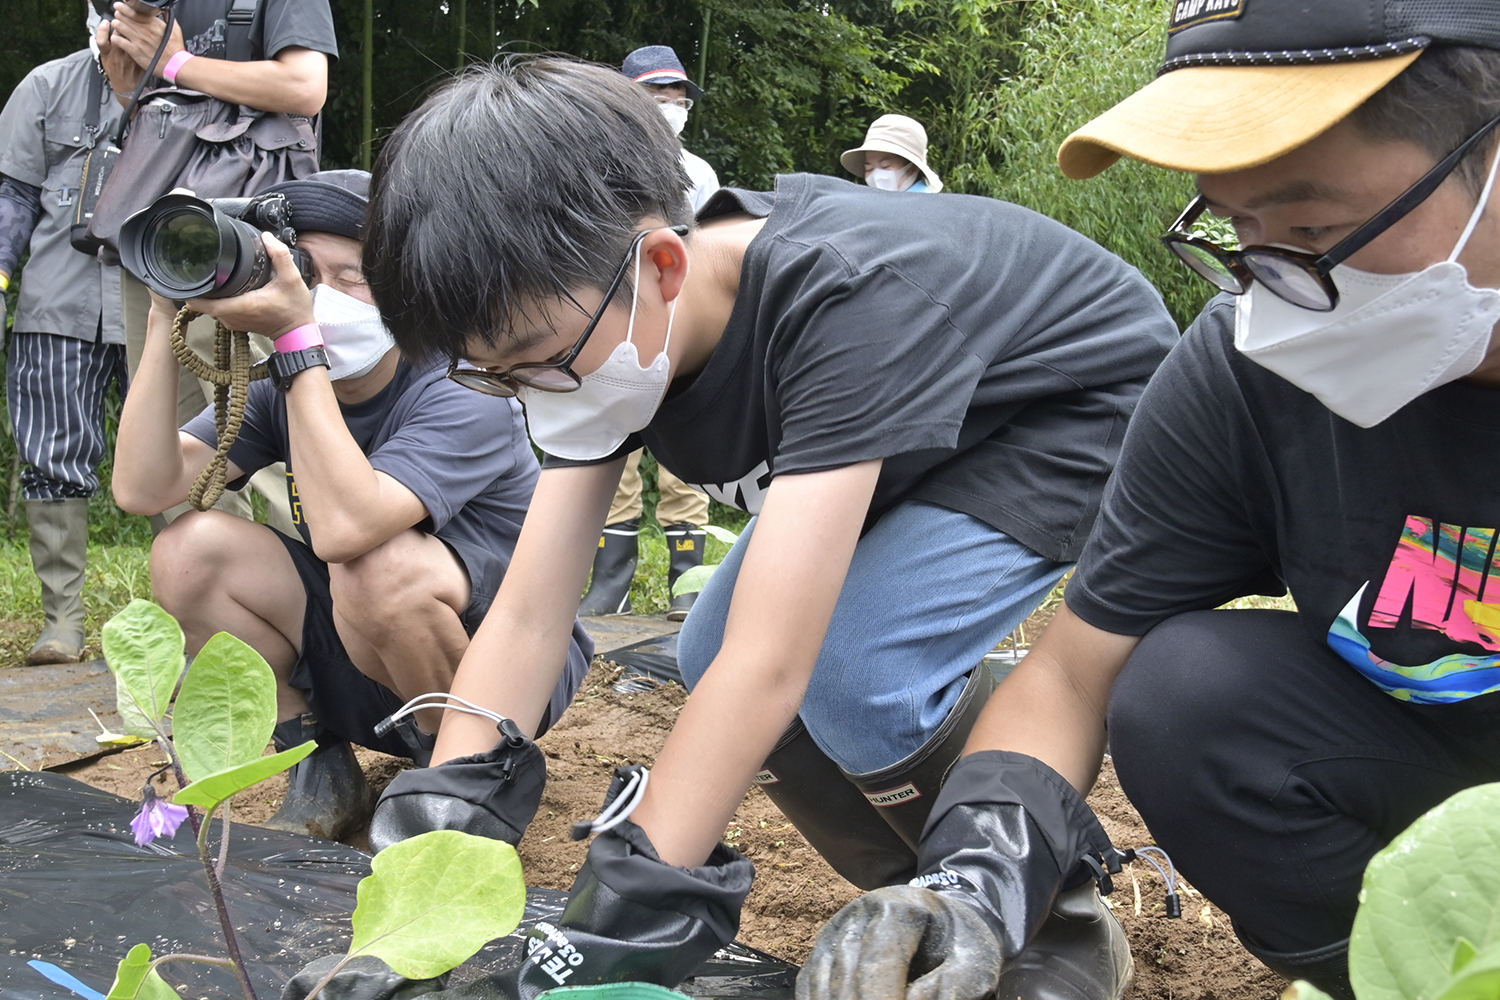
614 403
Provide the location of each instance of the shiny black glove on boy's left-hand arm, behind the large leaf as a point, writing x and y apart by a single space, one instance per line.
490 795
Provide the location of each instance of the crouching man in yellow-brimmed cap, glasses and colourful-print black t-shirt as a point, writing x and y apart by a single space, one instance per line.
1327 428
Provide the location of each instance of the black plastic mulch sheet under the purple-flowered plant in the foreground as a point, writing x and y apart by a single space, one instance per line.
77 893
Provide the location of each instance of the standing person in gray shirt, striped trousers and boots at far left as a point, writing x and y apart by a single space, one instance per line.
68 340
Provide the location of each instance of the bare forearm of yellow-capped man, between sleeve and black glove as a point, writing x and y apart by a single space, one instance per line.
1054 705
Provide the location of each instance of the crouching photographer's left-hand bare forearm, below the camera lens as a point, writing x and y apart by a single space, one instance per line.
149 467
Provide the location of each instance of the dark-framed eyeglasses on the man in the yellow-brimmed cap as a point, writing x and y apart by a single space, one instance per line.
1300 278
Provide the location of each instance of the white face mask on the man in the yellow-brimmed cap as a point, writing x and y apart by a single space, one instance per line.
1391 338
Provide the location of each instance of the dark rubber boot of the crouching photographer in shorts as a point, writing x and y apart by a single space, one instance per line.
326 792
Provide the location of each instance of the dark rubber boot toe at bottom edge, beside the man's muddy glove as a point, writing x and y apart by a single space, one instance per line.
1079 954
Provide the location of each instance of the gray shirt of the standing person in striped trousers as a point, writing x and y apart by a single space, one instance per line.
43 143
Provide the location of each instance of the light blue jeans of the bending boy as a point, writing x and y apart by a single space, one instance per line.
929 593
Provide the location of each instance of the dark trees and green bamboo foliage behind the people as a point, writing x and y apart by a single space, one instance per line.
791 85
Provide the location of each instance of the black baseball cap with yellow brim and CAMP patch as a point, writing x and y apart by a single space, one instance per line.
1246 82
